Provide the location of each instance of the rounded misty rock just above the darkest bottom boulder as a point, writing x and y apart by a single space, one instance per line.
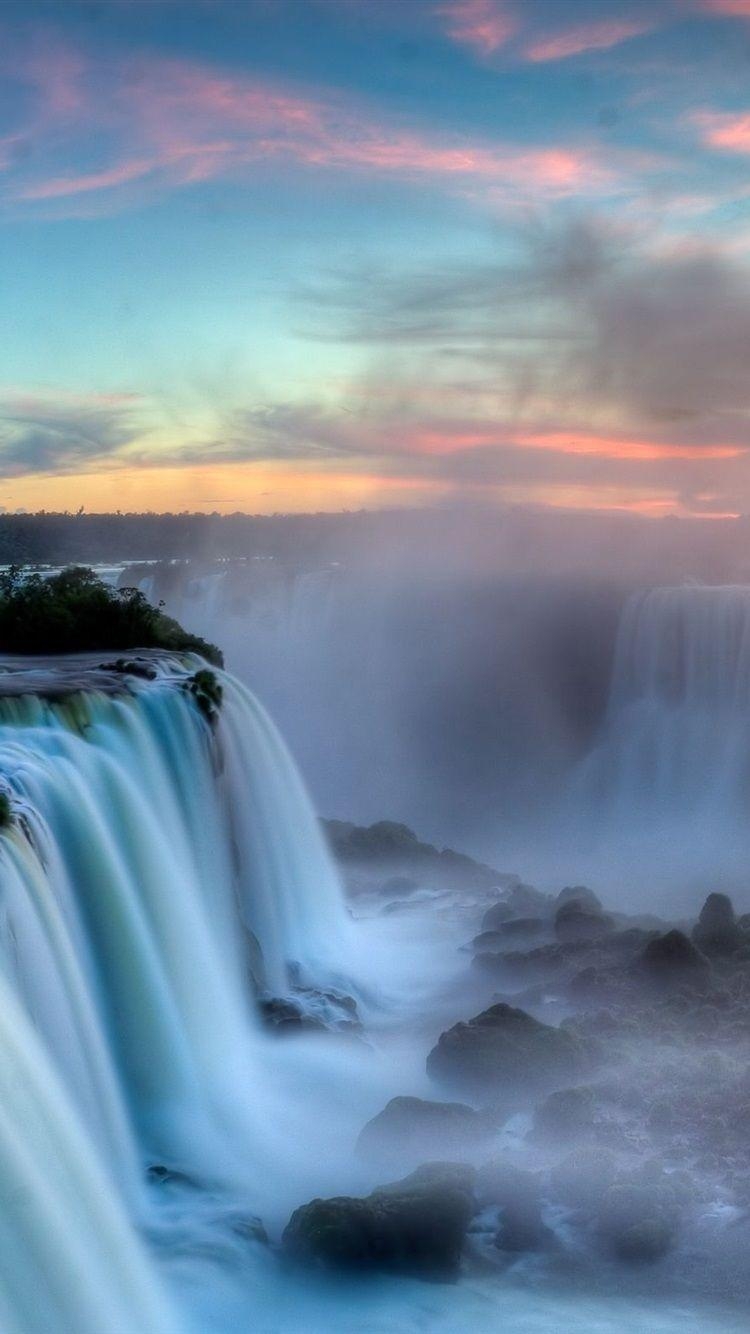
414 1128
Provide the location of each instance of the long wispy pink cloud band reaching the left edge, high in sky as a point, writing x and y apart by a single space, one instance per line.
125 130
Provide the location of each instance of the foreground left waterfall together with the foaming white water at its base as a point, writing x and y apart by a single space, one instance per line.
169 868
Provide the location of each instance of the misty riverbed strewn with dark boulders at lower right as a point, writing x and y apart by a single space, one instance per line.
588 1115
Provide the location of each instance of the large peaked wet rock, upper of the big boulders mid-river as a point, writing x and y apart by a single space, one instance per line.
508 1052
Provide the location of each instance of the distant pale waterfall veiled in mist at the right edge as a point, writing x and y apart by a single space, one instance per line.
671 769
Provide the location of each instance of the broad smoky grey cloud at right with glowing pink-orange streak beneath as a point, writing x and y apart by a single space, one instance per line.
593 357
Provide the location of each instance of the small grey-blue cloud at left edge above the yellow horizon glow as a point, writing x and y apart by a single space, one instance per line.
65 433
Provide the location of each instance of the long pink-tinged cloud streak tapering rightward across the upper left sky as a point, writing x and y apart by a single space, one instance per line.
169 125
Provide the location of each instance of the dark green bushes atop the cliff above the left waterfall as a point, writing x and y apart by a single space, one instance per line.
75 613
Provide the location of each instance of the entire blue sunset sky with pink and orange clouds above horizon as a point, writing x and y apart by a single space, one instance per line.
290 255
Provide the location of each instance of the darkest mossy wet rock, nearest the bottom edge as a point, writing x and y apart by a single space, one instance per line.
413 1227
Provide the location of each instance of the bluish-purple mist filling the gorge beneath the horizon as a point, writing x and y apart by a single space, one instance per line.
488 680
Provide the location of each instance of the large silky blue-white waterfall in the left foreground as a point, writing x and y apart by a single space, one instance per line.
157 870
